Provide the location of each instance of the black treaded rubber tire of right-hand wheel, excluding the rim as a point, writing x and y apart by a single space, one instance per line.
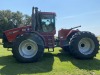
74 48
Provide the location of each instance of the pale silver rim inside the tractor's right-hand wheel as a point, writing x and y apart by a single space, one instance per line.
86 46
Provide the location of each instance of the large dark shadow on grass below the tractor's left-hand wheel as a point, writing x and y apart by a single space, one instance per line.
12 67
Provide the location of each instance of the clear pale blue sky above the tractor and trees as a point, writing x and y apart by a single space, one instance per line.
70 13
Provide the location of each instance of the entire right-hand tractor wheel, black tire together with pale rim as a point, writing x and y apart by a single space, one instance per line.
84 45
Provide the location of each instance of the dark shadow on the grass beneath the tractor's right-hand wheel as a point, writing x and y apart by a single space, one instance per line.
90 64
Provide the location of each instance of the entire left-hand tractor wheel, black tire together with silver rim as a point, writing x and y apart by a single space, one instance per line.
26 50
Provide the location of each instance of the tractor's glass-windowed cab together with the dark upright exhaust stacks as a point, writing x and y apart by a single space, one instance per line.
43 21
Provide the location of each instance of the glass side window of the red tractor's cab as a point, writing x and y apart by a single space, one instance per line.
48 23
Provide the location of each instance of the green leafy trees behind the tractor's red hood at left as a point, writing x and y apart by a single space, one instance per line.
9 20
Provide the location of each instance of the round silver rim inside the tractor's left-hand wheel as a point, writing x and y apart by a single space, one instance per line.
28 48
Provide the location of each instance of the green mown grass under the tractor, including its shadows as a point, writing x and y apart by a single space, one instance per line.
52 63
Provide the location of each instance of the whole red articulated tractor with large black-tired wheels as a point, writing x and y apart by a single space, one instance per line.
28 42
